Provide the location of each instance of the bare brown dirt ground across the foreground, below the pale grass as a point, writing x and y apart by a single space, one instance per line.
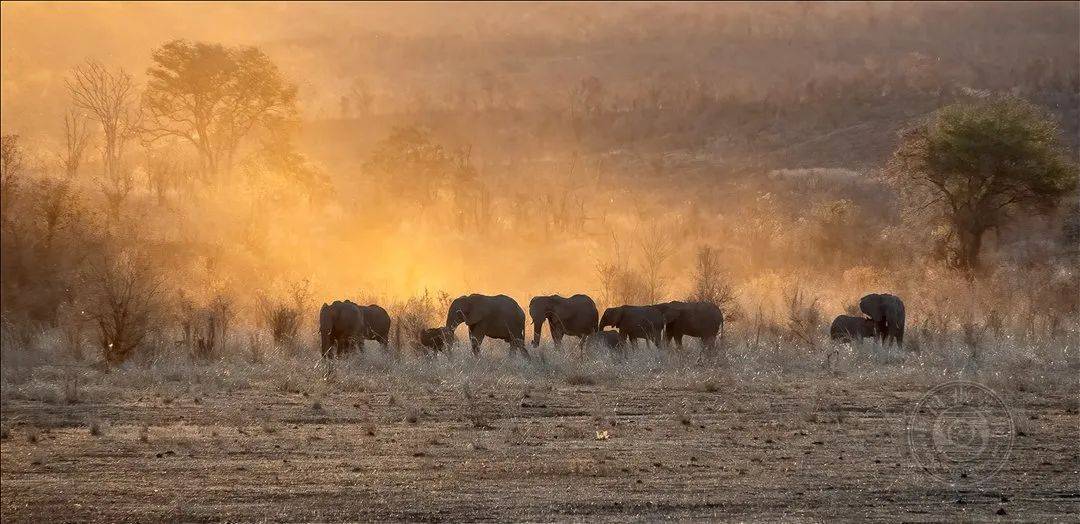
732 451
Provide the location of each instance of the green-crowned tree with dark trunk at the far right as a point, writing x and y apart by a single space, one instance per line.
973 165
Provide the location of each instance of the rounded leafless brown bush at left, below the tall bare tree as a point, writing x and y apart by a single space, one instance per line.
124 299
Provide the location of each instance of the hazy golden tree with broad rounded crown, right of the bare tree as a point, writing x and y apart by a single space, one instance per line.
213 97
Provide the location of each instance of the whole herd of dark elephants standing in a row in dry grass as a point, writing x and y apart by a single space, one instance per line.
344 325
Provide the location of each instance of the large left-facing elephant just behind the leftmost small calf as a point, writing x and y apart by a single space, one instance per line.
495 317
